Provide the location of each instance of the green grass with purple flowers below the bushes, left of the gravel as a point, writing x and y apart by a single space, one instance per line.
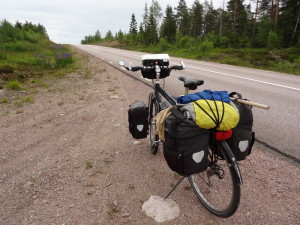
22 69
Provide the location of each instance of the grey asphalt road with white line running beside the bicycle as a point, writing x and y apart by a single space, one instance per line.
277 129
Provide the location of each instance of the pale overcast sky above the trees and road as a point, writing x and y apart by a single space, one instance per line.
68 22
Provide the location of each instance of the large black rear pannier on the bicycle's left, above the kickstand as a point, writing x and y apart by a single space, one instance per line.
186 145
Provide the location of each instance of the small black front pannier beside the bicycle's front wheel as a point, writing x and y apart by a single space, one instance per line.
138 120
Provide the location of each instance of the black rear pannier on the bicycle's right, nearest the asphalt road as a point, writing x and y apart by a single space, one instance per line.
243 137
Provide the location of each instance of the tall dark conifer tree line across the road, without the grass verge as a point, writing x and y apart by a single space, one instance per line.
271 24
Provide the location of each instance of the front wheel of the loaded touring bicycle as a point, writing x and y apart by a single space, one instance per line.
153 110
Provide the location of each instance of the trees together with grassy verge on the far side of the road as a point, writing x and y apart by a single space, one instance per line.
264 37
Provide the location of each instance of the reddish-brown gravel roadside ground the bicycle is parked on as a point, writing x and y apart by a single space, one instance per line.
68 158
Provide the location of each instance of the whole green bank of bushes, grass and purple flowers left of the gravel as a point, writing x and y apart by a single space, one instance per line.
29 60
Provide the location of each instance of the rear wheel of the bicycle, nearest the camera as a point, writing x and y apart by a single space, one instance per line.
216 199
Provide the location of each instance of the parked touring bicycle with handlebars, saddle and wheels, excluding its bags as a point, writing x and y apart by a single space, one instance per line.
218 187
